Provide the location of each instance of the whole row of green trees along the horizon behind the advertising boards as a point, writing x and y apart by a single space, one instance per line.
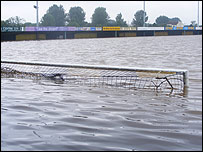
56 16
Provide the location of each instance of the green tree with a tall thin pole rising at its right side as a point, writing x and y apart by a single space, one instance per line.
139 18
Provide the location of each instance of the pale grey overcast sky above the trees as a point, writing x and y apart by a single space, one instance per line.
185 10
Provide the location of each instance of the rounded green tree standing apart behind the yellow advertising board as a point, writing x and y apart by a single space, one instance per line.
100 17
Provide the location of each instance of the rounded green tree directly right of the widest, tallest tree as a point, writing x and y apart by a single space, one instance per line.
76 16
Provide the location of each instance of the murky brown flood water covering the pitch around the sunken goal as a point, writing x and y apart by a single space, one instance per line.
43 115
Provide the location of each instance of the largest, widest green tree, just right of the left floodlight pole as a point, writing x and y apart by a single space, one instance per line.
56 12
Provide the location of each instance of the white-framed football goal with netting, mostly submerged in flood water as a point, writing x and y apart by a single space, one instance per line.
121 77
